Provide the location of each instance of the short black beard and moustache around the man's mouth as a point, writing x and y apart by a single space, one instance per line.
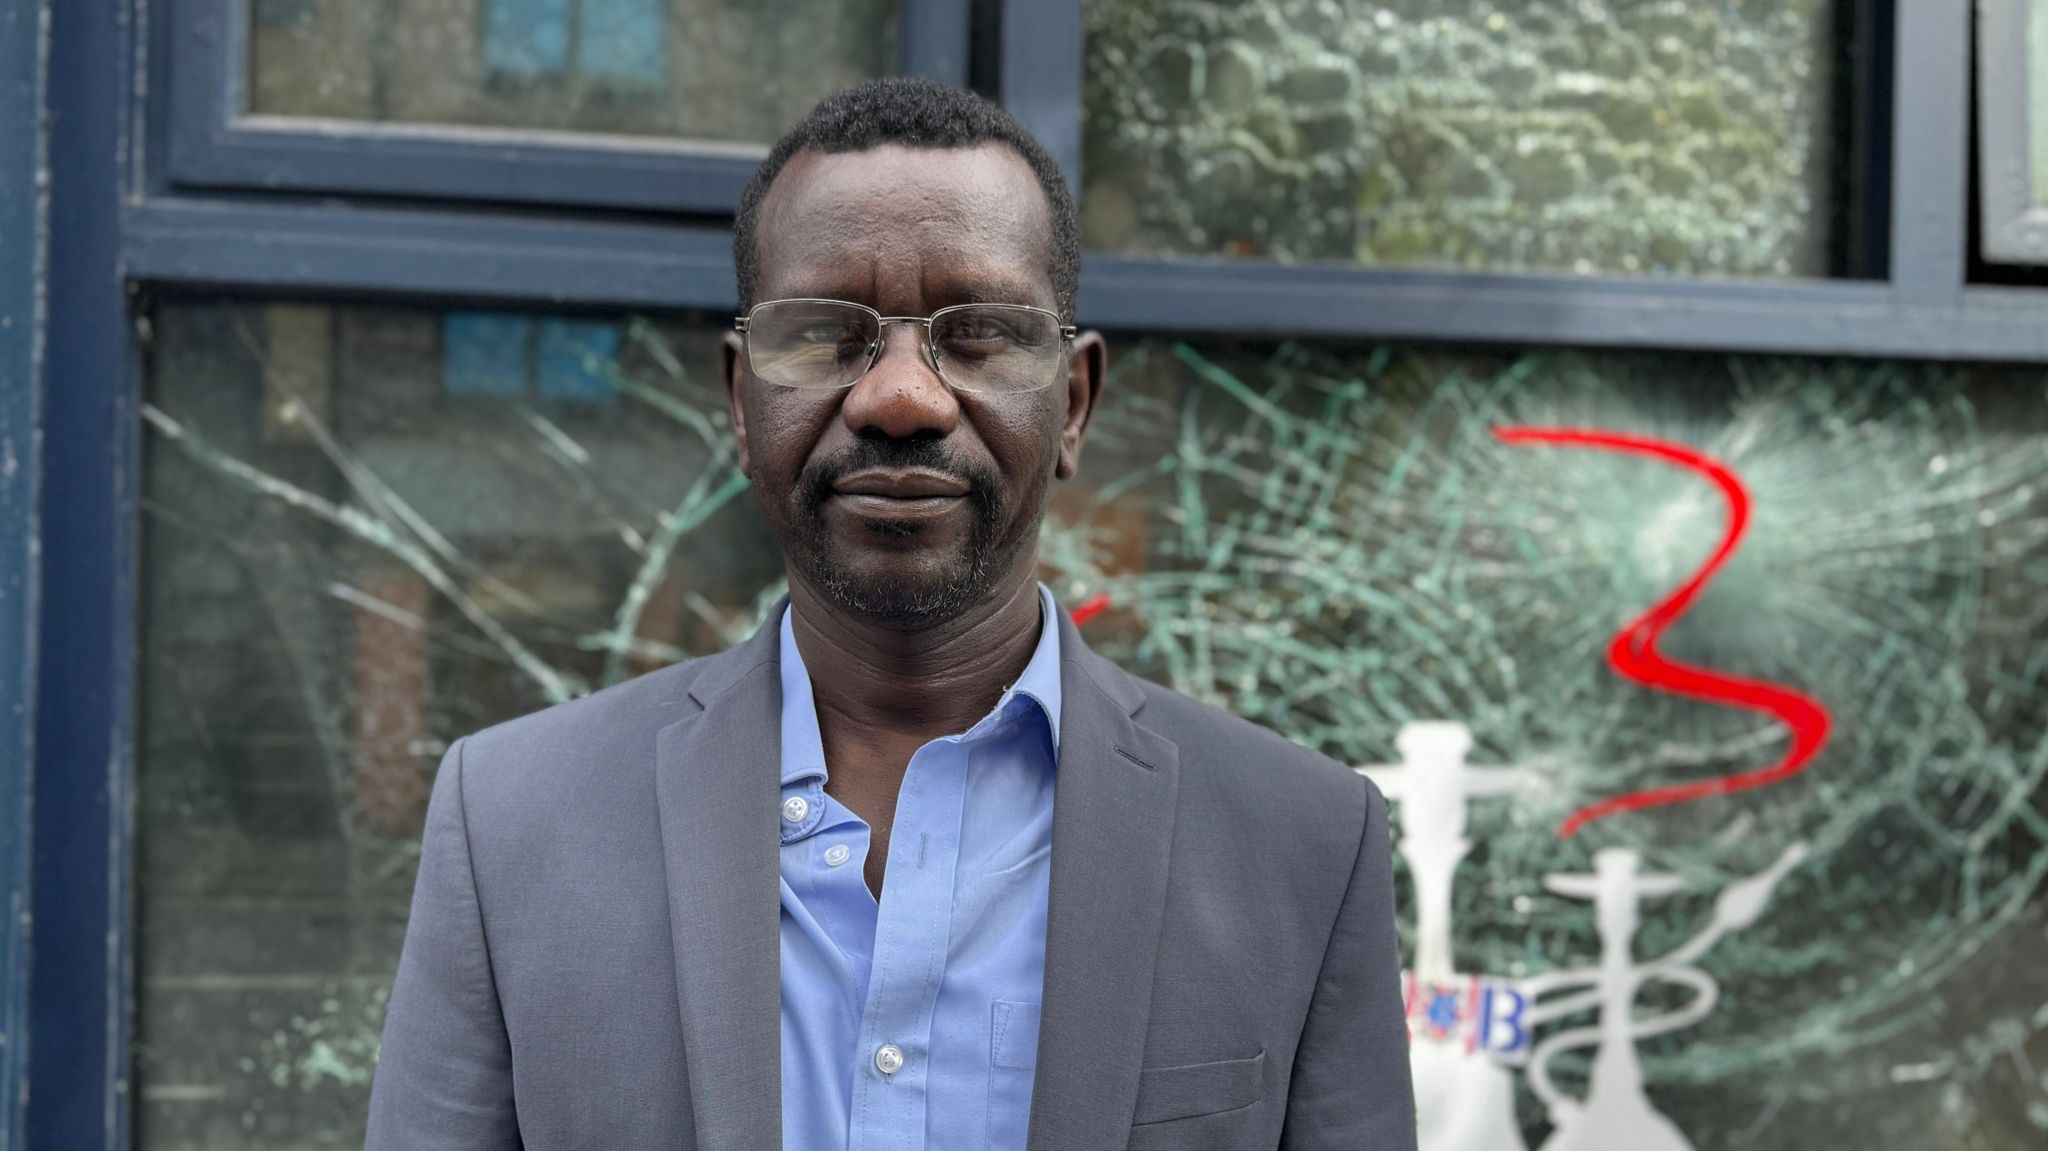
892 605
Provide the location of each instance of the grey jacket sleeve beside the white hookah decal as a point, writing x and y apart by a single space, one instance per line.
1353 1084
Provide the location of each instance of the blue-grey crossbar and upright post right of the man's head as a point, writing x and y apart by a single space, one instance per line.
1922 310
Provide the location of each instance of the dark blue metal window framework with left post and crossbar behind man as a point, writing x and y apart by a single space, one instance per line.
124 218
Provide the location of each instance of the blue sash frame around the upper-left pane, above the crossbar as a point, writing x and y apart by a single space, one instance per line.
216 146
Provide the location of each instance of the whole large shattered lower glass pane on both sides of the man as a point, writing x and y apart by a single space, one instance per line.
370 531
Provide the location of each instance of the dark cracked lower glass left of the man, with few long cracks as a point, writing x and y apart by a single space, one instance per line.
370 531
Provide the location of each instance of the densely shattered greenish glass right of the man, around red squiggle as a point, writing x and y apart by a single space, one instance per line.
1338 546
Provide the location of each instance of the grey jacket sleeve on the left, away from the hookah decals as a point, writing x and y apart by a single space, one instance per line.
445 1068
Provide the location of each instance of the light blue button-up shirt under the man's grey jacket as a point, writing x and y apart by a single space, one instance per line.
941 982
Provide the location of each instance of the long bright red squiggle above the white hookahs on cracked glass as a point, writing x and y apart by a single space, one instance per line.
1633 652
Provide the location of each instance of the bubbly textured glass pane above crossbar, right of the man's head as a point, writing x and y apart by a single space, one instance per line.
1588 136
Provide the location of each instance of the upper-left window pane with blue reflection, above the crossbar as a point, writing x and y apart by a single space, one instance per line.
679 69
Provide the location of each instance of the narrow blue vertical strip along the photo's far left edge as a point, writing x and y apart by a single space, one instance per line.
22 361
